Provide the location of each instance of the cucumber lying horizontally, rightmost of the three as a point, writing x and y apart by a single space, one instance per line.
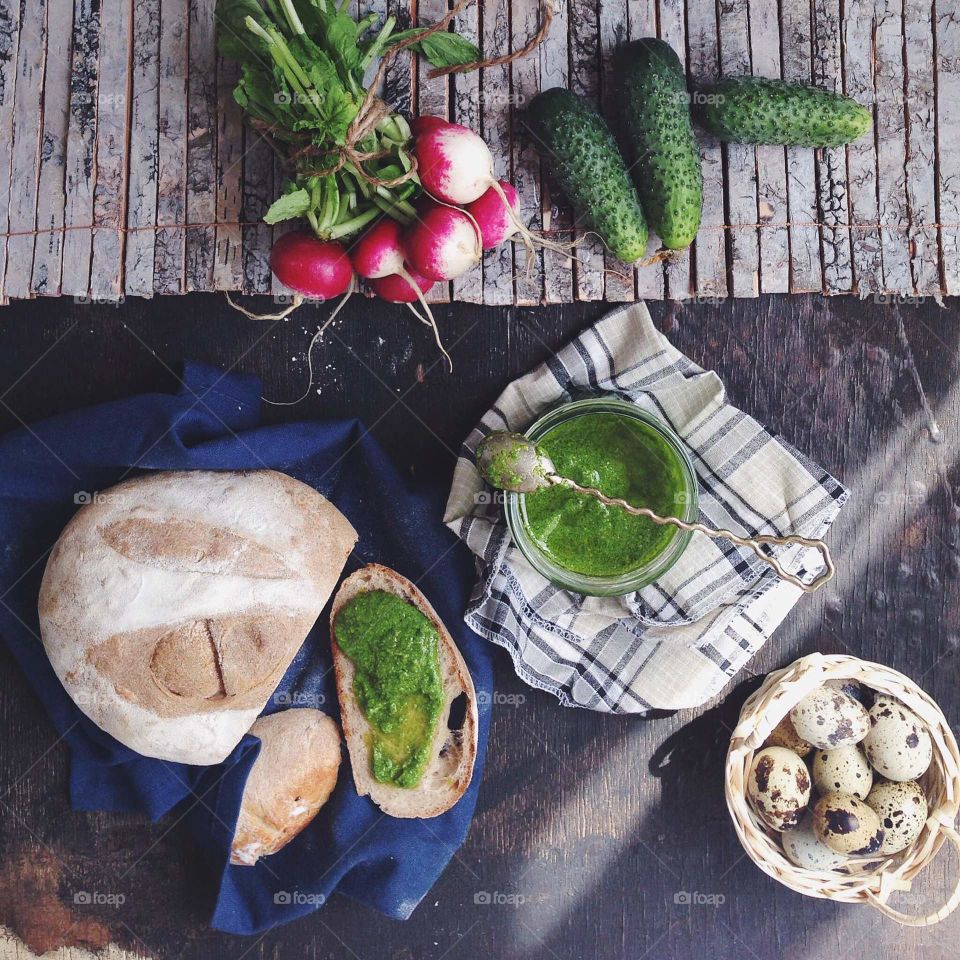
754 110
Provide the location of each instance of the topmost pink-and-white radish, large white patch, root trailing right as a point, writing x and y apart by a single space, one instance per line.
456 166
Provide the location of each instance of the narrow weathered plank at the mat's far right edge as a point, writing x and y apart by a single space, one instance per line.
947 32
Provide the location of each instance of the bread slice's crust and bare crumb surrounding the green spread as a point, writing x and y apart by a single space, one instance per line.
448 773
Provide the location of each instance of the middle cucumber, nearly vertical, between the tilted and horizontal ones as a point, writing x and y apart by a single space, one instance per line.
660 140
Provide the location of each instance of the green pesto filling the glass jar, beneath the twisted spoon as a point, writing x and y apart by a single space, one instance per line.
623 458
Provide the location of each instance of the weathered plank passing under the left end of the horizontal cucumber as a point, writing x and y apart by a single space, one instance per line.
710 247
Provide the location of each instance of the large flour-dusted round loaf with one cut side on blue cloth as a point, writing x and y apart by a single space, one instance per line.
172 605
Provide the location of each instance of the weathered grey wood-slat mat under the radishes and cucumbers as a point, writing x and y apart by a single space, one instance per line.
130 173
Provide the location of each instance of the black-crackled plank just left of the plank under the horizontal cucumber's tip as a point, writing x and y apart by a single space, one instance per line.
835 254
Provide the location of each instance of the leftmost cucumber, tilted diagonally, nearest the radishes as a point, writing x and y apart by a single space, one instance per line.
581 154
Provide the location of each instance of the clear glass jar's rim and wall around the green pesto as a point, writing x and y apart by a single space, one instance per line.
685 505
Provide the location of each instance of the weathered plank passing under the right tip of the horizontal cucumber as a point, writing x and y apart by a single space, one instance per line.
858 67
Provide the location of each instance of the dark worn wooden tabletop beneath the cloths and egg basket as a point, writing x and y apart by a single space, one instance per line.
587 826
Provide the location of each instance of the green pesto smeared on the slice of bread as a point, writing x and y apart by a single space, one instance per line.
395 653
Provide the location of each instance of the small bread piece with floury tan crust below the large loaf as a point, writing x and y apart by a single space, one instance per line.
292 778
